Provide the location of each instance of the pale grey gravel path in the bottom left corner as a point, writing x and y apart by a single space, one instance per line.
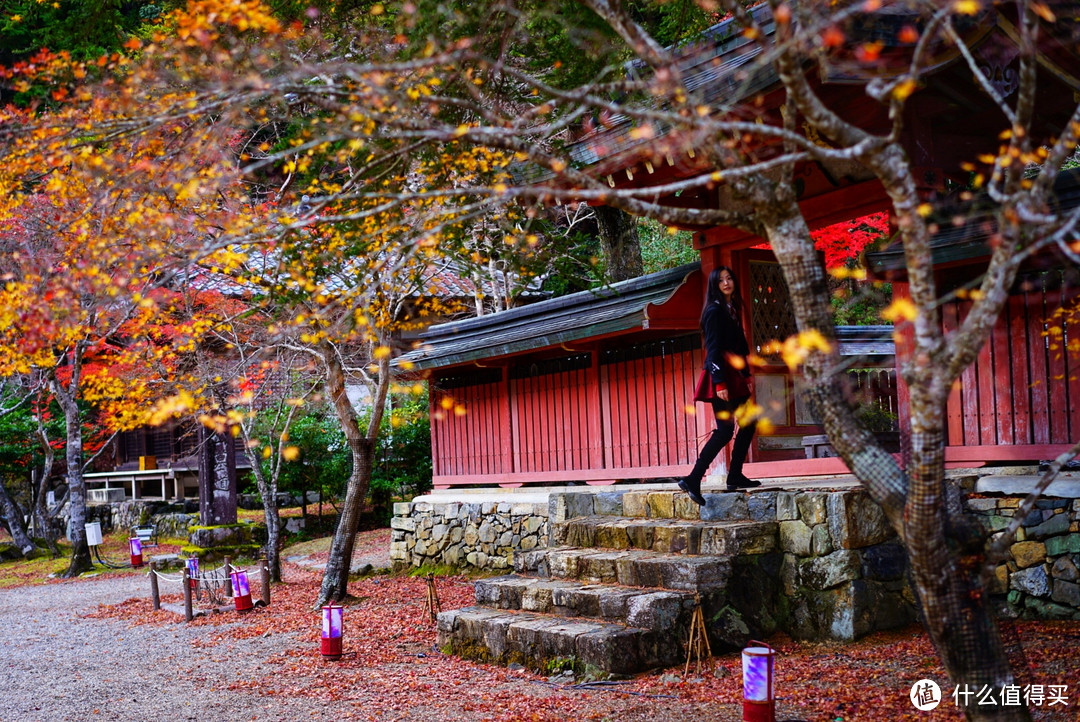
56 665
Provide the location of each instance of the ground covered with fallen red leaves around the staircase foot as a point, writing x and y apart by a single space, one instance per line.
394 671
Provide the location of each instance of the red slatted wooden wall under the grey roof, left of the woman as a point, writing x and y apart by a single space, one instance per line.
595 417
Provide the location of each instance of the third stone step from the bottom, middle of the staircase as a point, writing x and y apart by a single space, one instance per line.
634 568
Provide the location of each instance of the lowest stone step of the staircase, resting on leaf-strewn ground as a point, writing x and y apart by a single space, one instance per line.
532 639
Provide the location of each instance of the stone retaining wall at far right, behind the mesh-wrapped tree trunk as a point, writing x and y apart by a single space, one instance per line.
1041 579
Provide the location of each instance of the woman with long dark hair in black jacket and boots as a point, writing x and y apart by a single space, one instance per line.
726 352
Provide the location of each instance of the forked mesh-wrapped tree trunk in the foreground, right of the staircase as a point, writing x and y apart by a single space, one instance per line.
946 574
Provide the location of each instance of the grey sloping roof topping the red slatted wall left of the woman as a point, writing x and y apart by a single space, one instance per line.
620 308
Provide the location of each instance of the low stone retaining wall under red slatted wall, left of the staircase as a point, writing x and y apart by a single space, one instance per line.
481 536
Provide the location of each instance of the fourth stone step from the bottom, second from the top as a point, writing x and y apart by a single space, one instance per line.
724 539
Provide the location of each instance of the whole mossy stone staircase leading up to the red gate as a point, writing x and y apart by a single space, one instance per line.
616 589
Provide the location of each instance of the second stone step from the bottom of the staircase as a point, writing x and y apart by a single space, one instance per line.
645 608
